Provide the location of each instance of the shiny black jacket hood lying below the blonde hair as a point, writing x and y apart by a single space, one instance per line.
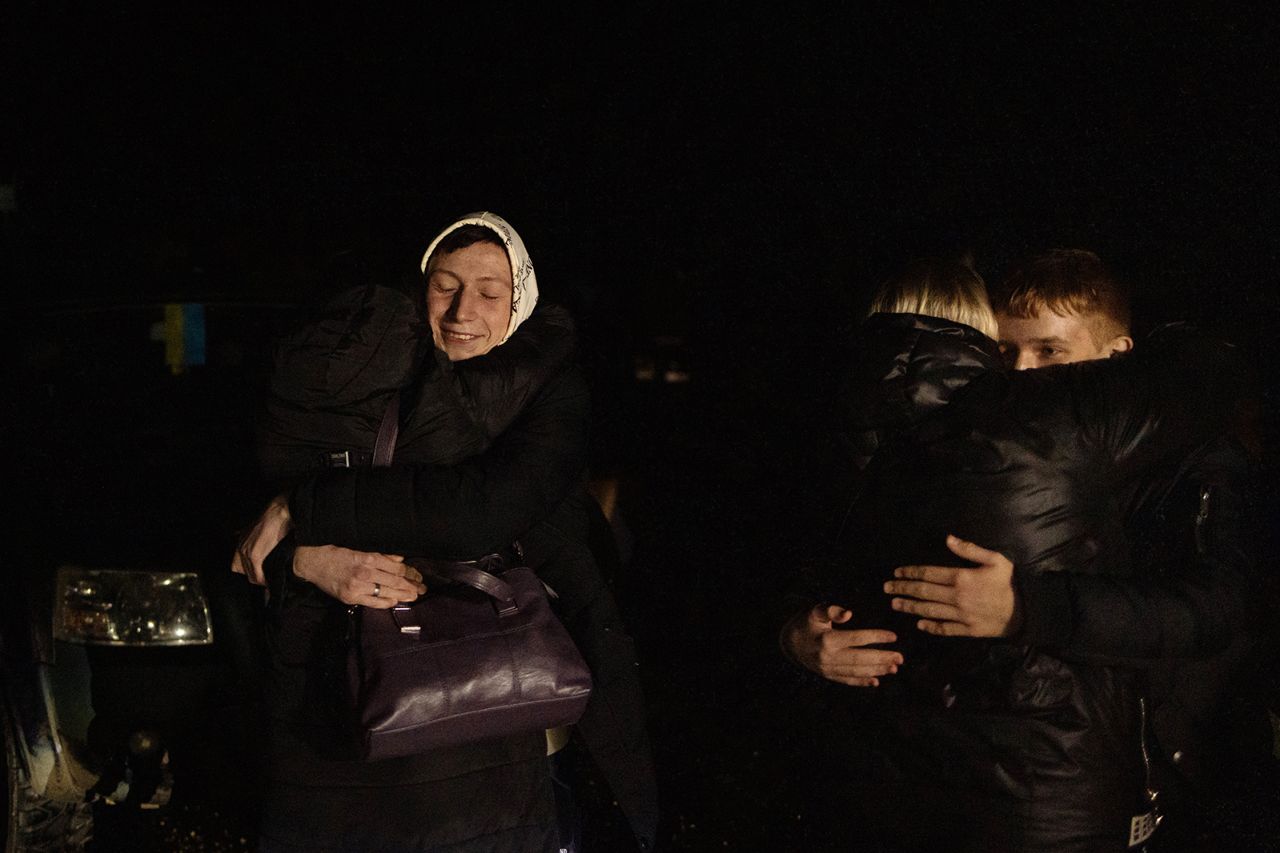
908 367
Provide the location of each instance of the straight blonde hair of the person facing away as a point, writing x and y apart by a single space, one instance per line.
941 289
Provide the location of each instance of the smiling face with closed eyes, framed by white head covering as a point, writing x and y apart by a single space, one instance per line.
469 297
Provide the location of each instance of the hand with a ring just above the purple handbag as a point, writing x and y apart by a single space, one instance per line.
363 578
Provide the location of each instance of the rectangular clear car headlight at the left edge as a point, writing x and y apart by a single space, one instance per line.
115 608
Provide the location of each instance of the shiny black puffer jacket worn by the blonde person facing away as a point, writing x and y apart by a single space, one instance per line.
1028 464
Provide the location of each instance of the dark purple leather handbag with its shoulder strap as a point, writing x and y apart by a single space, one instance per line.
479 656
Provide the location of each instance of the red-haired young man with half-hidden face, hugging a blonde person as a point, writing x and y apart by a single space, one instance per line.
1186 614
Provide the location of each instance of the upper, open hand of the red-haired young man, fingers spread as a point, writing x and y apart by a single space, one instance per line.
961 603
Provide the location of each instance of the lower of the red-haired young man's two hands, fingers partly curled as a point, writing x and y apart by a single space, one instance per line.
813 641
